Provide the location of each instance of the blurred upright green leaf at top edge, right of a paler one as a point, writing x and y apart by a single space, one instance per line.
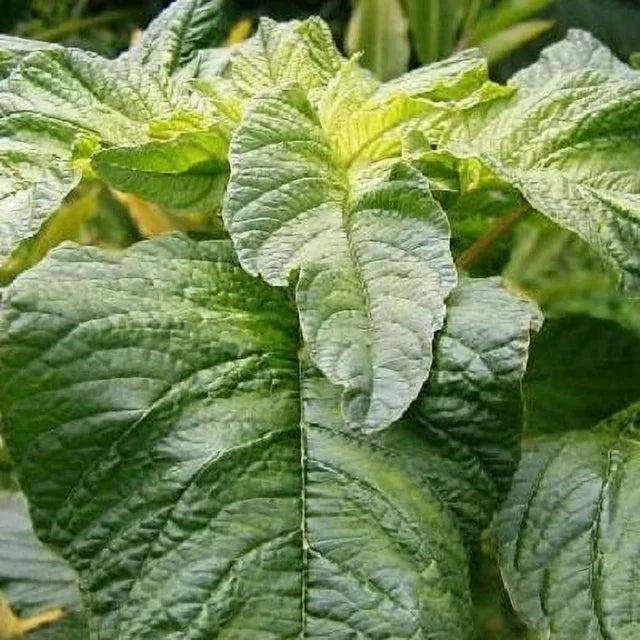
434 26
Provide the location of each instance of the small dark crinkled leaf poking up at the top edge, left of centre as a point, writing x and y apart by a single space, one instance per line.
173 39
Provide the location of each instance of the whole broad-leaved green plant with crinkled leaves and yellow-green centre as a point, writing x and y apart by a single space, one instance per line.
297 419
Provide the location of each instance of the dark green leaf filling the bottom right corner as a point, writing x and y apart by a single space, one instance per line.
568 532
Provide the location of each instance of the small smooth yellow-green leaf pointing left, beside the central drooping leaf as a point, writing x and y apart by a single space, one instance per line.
188 172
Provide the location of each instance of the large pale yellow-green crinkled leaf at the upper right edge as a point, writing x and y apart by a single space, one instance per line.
568 141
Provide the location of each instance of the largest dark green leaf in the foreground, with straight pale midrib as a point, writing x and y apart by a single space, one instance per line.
200 477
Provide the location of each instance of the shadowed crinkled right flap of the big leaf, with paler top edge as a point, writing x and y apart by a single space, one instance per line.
470 410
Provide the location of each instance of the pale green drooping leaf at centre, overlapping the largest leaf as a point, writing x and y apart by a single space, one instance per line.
373 253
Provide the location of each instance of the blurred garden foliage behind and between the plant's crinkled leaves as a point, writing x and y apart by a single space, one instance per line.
592 331
